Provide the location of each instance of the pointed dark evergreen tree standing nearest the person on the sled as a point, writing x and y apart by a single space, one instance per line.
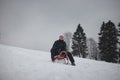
79 42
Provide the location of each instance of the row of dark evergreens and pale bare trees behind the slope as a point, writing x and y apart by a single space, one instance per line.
108 46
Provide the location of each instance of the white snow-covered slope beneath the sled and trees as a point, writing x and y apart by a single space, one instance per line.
23 64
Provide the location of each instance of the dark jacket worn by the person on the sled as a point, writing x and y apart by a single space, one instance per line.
58 46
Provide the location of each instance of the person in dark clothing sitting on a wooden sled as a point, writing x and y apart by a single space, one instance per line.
58 46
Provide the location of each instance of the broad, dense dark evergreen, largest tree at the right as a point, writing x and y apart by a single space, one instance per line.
108 42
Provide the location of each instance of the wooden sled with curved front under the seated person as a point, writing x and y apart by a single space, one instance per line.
62 56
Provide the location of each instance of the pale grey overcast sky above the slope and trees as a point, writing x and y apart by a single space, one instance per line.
36 24
